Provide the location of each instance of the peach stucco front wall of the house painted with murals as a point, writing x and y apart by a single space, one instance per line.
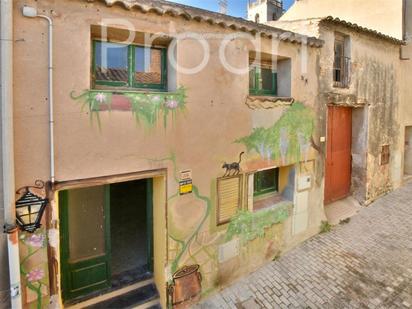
208 118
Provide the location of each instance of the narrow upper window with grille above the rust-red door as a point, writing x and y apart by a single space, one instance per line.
341 66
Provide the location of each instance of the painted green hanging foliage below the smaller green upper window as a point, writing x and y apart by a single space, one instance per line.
288 138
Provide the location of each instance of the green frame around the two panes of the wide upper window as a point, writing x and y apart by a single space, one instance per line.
131 62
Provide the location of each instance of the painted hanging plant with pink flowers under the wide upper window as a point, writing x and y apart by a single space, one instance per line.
146 107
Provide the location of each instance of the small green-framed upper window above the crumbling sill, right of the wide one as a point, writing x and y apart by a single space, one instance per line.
262 80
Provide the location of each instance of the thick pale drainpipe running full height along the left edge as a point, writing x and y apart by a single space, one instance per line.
6 43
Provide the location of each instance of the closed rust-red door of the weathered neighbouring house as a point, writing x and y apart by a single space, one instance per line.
338 156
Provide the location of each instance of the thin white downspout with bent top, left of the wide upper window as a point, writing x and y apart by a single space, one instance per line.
32 12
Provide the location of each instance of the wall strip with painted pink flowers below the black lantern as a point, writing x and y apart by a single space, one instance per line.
34 269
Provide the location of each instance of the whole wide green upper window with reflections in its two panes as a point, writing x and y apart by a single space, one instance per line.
129 66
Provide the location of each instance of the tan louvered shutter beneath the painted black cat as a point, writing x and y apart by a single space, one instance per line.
229 198
